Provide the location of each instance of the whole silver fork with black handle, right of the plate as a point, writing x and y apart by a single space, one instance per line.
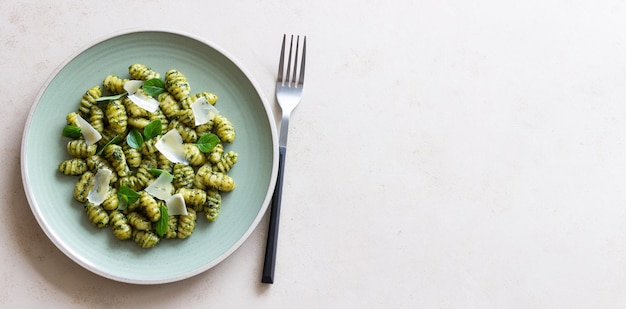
288 93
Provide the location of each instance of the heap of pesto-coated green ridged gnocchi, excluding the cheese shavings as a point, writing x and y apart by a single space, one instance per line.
200 180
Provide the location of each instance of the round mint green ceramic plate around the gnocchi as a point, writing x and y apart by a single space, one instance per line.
208 68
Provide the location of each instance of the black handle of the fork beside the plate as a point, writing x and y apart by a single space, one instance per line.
272 233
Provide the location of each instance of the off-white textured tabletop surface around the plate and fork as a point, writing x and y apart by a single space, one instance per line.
446 154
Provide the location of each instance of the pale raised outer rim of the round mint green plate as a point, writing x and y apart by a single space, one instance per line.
50 233
